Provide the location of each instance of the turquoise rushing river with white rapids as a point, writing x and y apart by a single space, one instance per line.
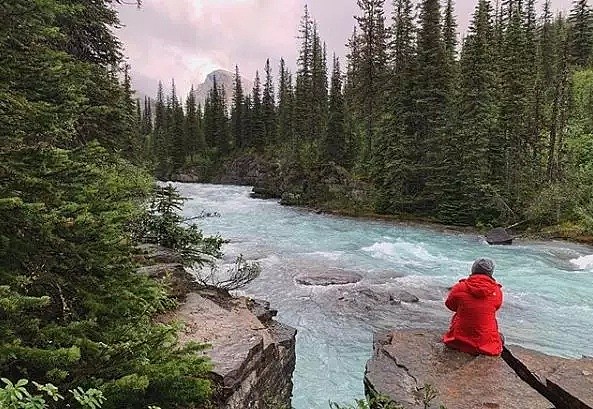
548 286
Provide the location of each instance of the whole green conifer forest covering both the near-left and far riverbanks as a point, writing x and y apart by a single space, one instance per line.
492 128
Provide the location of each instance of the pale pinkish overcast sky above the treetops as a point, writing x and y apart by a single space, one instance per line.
187 39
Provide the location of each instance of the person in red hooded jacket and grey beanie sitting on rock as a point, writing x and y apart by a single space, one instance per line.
475 300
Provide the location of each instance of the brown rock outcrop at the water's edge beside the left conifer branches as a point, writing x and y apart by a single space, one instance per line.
253 354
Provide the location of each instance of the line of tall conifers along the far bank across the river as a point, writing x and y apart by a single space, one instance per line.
484 130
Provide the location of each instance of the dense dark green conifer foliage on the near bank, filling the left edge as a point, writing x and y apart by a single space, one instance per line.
73 310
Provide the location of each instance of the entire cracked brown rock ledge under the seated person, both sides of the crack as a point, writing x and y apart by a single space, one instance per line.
405 362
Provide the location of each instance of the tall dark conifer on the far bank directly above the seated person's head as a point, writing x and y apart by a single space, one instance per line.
469 201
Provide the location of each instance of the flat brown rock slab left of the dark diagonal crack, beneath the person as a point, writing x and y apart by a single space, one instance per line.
405 361
